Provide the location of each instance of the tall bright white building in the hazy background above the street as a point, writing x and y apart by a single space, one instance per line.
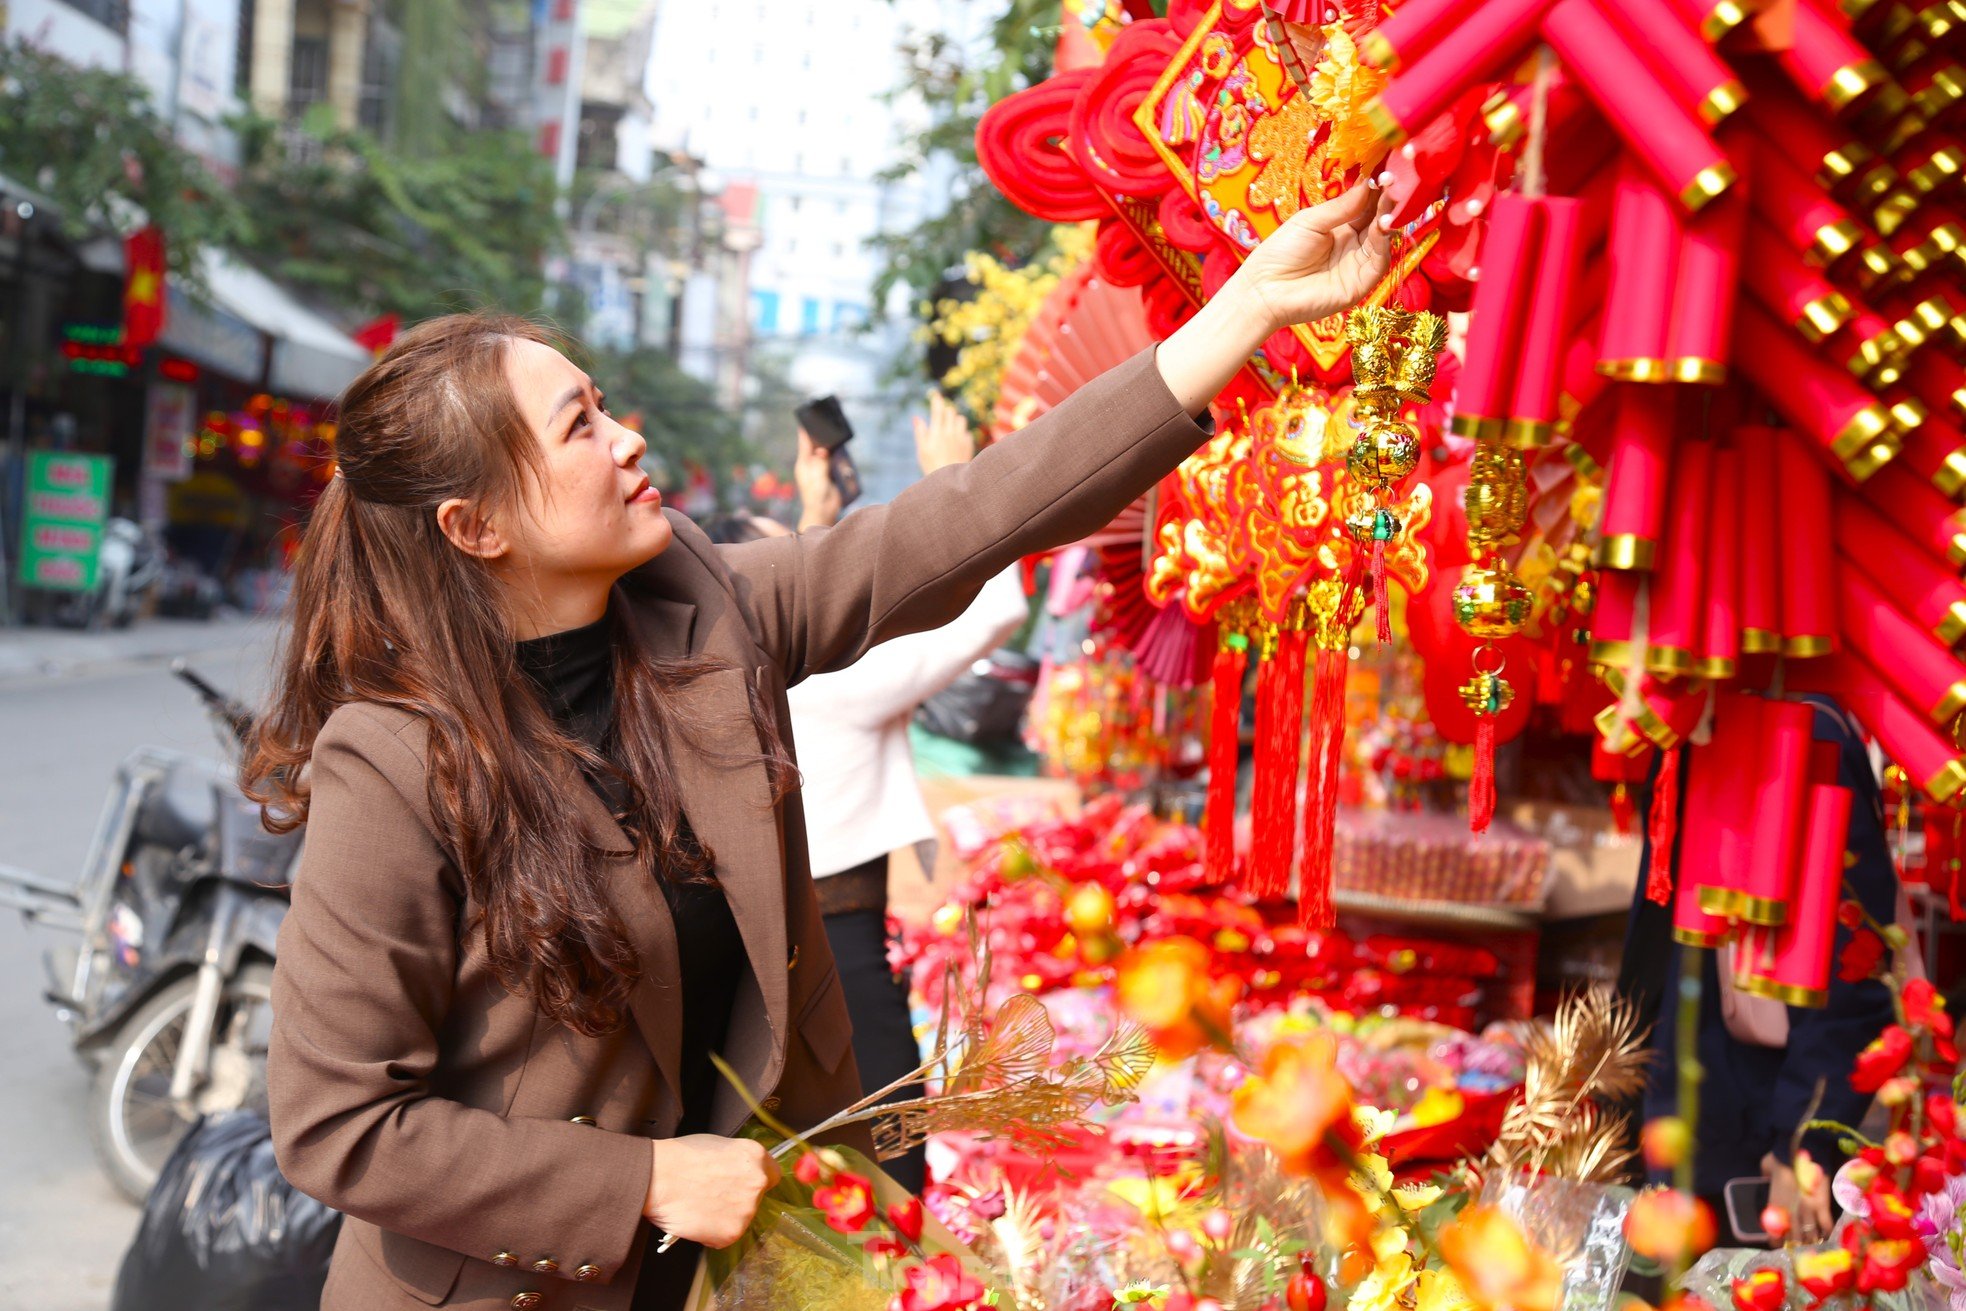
793 95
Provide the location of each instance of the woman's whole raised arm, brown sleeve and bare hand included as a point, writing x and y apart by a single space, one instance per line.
821 598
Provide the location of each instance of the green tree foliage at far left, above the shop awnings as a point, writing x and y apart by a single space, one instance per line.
91 141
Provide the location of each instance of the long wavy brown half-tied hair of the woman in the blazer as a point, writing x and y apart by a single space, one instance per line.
386 610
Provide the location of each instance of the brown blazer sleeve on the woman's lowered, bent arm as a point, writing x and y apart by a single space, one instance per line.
365 980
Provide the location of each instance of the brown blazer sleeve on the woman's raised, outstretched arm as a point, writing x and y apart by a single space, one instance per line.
819 600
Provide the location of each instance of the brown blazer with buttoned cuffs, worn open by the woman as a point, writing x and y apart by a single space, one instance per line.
491 1159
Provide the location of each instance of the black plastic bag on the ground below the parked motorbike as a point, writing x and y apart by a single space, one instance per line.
223 1231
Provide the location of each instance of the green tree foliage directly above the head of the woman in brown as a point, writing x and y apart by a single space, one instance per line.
341 215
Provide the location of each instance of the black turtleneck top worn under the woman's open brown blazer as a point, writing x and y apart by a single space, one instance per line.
575 677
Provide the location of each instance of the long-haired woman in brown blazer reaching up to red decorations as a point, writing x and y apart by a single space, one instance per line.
555 854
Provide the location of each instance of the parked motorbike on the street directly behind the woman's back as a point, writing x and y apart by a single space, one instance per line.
168 982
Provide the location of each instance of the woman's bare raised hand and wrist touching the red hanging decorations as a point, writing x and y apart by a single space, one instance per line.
1322 262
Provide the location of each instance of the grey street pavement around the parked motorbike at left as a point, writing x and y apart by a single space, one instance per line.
72 707
